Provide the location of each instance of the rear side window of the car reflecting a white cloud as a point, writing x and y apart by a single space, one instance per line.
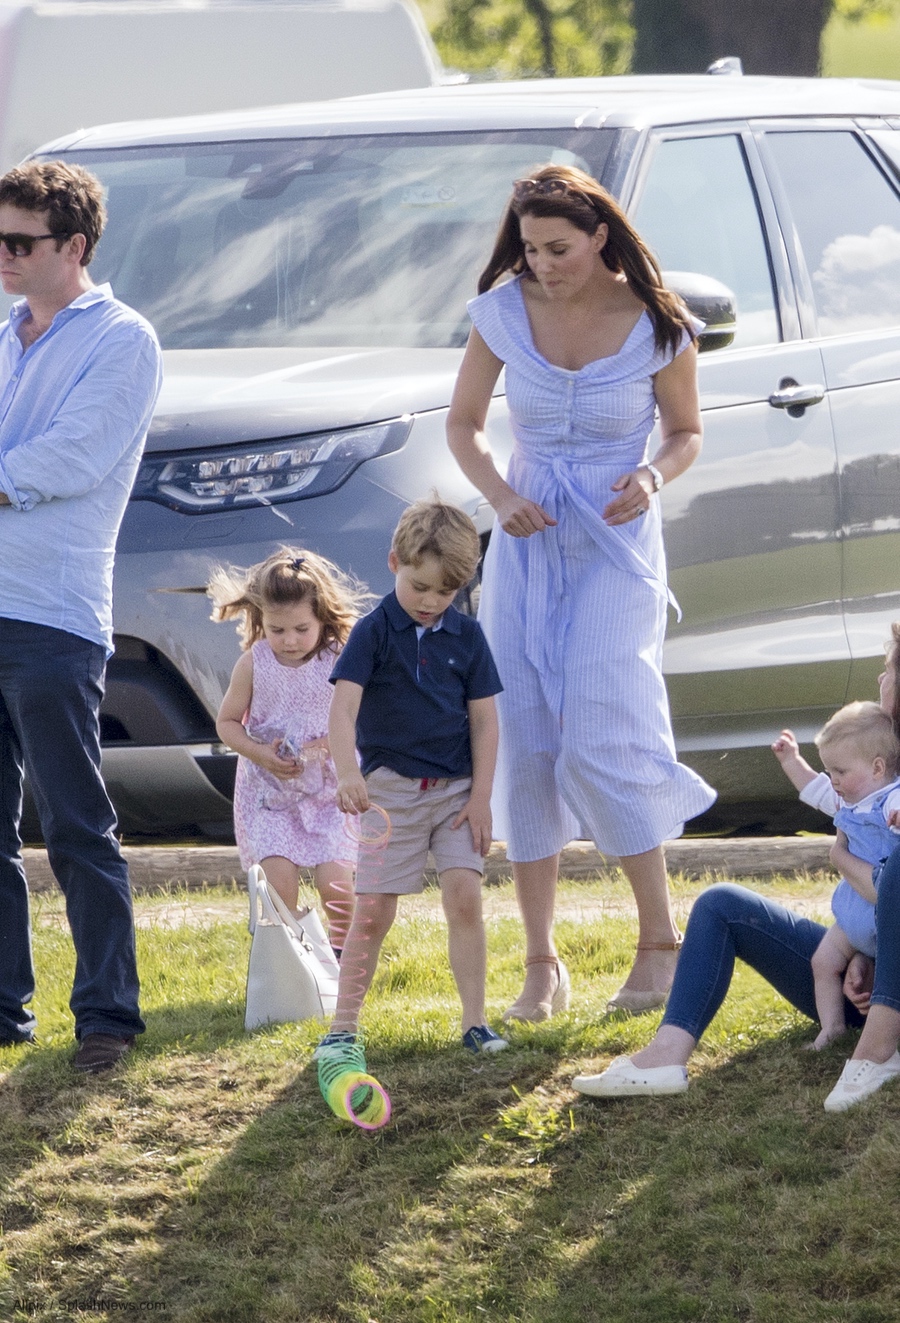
848 220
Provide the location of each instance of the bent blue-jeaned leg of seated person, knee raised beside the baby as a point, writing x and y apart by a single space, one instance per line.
731 921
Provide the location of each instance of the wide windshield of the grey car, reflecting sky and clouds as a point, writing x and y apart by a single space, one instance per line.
322 241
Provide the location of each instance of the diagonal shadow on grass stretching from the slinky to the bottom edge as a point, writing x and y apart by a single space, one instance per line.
293 1220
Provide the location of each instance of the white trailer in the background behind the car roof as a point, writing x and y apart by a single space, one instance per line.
69 64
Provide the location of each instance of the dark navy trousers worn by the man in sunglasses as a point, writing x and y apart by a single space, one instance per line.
51 690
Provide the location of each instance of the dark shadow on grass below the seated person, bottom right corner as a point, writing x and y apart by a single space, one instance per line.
742 1201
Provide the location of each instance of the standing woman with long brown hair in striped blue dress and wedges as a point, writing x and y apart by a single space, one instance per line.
575 596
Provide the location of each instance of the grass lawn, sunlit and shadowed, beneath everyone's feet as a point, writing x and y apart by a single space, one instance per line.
207 1181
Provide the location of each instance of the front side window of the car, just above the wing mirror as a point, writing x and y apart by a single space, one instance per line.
698 211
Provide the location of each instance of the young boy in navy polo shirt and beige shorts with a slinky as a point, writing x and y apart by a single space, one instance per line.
415 694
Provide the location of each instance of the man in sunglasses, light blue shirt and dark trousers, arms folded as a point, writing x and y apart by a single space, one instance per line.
79 380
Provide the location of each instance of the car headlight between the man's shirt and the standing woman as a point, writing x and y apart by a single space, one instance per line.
264 473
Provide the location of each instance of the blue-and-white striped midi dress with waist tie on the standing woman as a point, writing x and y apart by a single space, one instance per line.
576 616
